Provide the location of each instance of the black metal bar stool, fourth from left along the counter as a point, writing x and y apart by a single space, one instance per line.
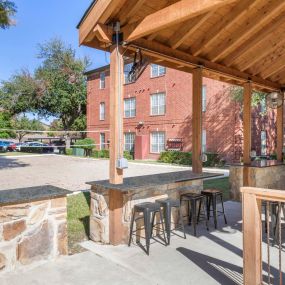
212 195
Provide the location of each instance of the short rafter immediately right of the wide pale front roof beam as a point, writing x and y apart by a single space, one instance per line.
185 32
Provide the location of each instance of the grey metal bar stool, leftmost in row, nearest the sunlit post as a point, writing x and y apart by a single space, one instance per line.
149 210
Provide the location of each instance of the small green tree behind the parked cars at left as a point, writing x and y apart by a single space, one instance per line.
23 125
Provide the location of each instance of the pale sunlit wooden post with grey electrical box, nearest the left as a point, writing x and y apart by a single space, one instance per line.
116 116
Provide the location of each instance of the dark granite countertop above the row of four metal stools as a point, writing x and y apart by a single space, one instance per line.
145 181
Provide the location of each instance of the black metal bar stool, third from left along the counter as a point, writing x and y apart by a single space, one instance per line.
192 199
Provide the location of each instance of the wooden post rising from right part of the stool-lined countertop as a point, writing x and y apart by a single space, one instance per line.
197 120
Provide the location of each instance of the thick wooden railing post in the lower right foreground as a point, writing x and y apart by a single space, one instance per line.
252 256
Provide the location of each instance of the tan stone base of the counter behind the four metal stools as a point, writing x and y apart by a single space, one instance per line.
99 218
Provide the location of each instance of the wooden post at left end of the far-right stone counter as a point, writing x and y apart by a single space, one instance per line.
247 122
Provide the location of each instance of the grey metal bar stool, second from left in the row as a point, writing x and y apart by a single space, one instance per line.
167 205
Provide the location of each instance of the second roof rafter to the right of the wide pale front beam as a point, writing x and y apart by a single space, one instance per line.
232 17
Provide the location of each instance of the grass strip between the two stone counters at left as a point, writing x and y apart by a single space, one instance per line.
78 213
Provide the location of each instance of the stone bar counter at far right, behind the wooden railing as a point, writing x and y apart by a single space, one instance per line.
262 173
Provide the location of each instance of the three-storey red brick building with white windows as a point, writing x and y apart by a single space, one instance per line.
157 115
